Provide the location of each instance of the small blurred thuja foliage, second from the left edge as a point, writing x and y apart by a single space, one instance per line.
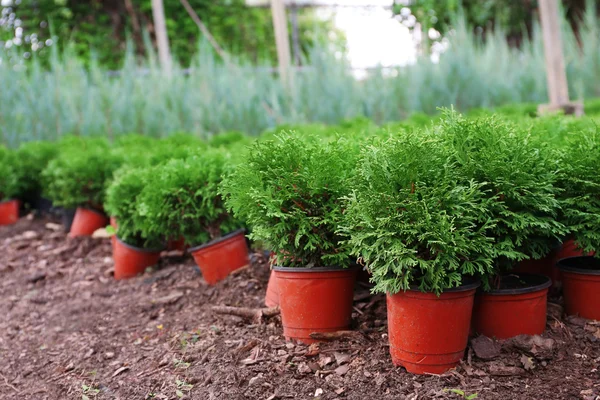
33 157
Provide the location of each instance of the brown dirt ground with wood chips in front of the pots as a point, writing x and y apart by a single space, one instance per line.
68 330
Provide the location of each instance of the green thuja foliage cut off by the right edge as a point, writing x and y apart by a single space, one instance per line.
579 179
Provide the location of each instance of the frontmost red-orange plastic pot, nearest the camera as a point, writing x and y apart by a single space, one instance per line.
427 333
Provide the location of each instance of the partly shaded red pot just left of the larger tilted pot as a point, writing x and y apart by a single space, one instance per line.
131 261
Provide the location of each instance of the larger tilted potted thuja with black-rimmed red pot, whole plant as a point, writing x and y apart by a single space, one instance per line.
182 200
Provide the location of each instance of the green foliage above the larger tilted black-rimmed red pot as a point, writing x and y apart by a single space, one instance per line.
181 199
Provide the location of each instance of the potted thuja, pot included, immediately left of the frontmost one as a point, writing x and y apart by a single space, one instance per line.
290 191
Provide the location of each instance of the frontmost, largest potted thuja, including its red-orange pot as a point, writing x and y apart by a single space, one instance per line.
423 235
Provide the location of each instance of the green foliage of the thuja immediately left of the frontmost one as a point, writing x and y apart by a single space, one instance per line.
289 191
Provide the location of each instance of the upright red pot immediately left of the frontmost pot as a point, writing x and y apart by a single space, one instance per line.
314 300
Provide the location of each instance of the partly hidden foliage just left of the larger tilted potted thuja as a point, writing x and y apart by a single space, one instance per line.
122 197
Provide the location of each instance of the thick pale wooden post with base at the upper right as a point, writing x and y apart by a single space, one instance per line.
558 88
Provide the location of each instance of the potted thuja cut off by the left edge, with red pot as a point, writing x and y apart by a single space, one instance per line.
9 187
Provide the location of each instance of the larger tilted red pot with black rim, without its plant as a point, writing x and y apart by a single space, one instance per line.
219 258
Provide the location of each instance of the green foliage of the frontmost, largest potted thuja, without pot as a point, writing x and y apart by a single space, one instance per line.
413 221
